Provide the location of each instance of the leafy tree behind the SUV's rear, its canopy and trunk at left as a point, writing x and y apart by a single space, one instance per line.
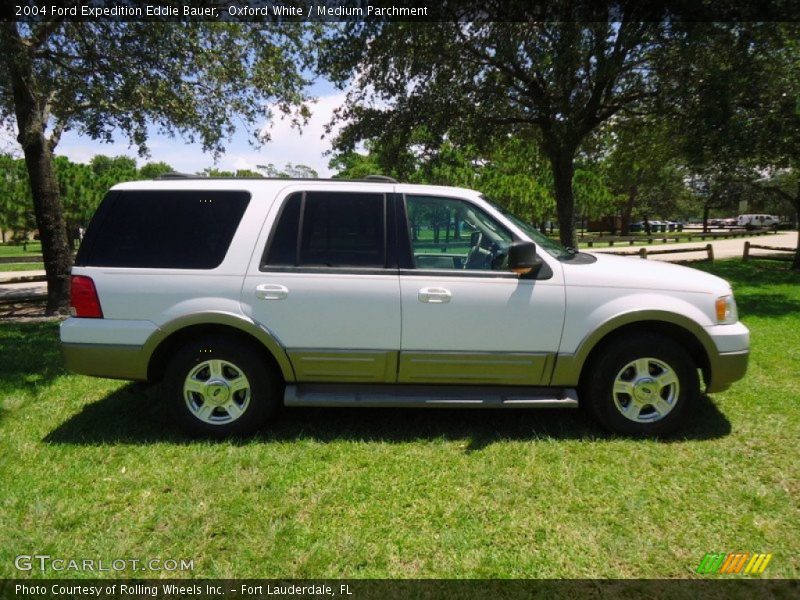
196 79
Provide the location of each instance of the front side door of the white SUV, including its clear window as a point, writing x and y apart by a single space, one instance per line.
465 317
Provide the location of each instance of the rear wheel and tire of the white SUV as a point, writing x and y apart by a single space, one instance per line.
219 387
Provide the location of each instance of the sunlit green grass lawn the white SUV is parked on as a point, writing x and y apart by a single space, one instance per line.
91 468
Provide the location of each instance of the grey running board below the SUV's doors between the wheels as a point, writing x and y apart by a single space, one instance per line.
319 394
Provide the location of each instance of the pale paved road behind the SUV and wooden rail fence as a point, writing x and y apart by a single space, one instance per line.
722 249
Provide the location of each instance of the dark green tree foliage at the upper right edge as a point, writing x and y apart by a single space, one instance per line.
735 101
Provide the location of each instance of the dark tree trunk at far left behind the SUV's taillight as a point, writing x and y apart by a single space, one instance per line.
30 112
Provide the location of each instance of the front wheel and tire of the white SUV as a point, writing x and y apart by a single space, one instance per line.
645 385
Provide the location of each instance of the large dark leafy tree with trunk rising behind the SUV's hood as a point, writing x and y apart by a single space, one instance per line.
483 81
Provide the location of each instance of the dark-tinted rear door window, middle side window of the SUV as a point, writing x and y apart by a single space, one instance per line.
334 229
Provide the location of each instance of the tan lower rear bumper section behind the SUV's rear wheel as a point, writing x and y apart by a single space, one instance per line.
105 360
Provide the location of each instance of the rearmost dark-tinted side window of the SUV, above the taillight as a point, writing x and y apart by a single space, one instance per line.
163 229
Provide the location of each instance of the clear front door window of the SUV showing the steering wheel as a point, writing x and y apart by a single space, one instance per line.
448 233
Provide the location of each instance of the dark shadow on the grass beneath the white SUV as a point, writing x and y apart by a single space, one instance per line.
130 416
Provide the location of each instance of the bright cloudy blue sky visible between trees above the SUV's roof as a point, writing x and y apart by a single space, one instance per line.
288 145
